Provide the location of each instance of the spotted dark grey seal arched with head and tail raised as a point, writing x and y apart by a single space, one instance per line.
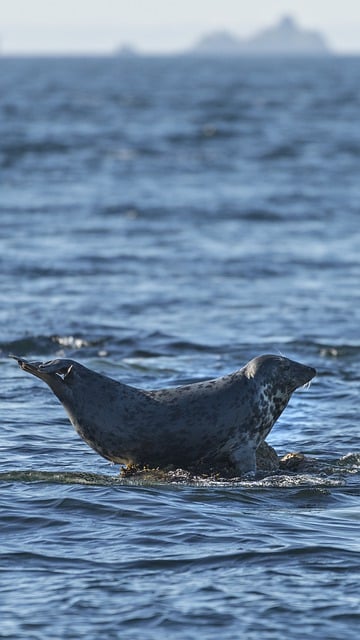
218 422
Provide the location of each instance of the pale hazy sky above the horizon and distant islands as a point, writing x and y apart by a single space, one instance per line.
160 26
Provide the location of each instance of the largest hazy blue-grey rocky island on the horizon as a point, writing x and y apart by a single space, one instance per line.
285 38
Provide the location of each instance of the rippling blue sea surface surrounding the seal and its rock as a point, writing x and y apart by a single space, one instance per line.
162 221
